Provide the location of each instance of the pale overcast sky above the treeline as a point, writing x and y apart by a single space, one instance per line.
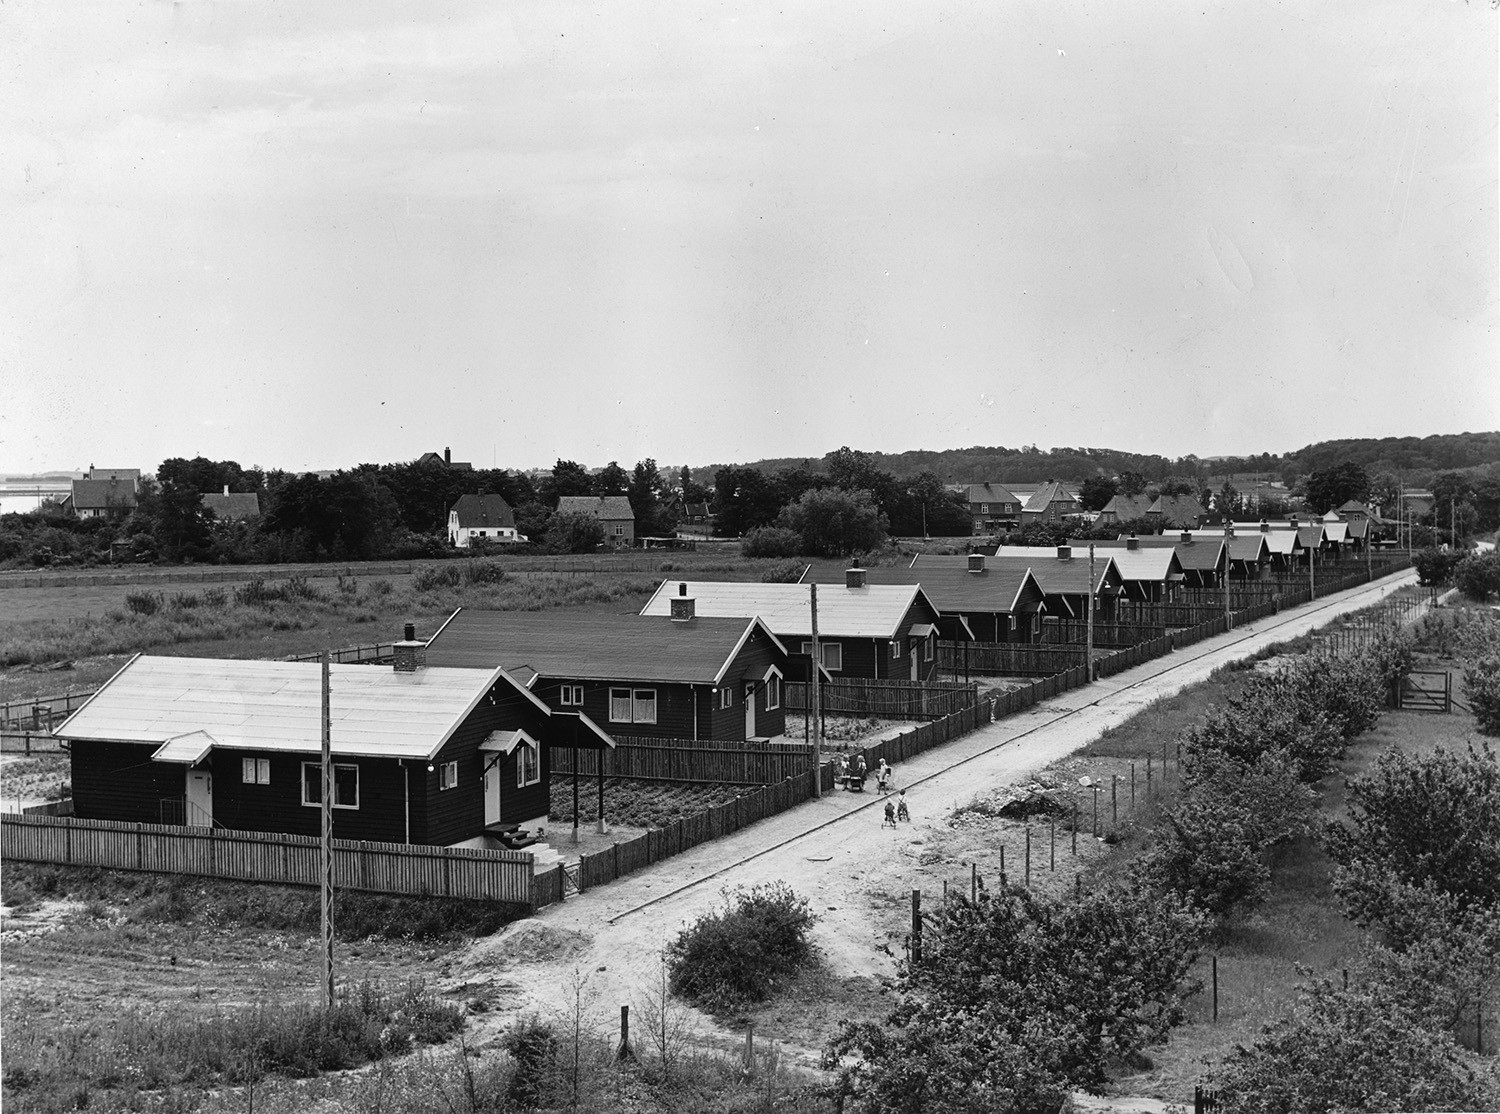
310 236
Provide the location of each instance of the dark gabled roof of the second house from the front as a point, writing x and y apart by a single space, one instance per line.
625 648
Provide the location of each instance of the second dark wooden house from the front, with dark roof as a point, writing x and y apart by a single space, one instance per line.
685 677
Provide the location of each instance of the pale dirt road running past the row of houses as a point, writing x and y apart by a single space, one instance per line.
836 852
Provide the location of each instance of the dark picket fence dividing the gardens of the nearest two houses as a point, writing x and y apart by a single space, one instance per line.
689 761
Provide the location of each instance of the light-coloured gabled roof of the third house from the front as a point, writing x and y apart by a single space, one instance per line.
874 612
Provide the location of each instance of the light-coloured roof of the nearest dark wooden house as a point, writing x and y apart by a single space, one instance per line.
278 705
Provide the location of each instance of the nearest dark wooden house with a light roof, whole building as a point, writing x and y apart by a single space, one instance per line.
421 755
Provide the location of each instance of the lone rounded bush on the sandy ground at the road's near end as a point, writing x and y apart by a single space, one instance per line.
743 953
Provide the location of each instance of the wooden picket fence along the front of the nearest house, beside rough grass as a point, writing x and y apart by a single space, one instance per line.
265 857
